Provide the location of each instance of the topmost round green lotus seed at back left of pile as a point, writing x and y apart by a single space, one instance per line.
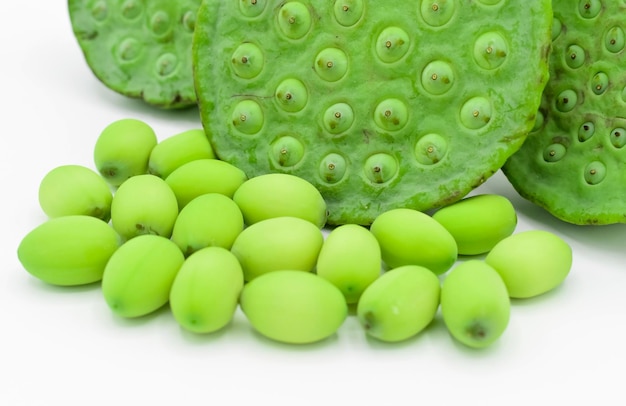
122 150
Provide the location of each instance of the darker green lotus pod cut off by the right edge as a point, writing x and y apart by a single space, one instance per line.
573 164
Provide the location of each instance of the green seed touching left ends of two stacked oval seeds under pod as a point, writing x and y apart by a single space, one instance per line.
210 220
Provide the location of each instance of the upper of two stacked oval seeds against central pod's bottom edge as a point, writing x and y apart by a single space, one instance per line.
280 195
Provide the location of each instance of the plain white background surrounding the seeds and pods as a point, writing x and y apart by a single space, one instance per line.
64 346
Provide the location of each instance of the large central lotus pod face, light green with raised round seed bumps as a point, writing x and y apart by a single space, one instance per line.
378 106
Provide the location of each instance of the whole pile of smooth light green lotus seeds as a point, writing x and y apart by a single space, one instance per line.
168 224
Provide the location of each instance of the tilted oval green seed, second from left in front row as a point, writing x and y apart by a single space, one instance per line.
138 277
